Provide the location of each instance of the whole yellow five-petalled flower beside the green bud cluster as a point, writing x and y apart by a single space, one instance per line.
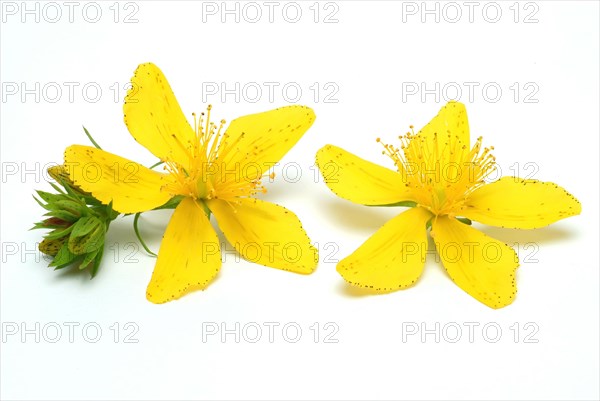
211 171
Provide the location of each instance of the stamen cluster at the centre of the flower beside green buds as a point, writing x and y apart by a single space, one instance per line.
205 175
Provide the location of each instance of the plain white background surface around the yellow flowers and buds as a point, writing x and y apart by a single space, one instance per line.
372 54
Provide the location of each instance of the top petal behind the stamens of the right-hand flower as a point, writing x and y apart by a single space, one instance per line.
451 120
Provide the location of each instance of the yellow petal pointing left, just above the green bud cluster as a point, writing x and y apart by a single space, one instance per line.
130 186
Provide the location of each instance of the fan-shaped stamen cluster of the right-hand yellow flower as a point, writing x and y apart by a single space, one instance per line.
441 169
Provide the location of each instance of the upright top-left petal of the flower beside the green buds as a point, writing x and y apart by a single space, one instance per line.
153 116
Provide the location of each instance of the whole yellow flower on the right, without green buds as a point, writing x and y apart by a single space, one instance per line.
442 177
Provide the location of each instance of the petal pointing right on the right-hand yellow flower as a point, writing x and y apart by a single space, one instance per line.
517 203
